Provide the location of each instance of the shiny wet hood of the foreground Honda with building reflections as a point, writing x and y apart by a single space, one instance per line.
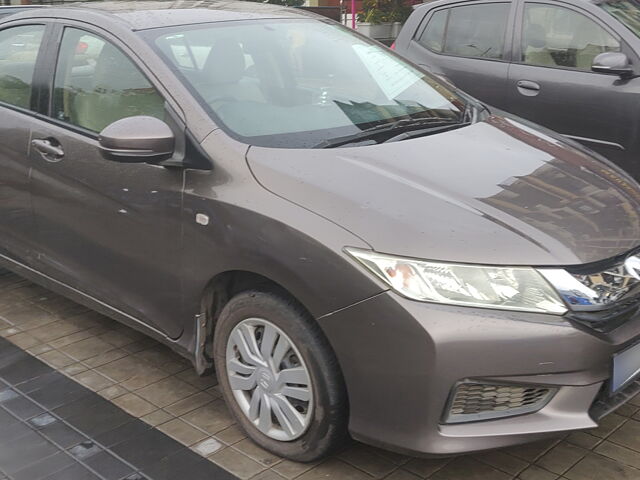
497 192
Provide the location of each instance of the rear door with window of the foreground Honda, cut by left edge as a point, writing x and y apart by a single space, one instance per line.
19 48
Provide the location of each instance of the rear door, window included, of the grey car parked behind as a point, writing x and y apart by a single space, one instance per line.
468 45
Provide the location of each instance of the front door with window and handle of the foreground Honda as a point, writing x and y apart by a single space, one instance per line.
111 230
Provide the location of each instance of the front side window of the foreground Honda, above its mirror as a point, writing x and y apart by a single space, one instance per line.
96 84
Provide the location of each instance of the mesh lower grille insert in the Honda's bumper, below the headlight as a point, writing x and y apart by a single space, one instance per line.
483 401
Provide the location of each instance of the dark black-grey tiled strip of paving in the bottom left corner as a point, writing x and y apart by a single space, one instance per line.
53 428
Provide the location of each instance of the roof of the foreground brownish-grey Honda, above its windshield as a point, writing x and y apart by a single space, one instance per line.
145 14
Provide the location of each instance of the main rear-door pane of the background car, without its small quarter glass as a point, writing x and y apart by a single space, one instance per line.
477 30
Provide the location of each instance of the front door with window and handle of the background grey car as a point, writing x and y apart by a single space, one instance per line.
551 82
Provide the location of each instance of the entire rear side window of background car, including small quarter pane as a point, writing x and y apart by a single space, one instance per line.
469 31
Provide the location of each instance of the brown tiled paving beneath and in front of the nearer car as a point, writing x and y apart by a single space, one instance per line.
152 384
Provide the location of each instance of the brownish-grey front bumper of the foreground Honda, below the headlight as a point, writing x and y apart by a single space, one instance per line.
401 359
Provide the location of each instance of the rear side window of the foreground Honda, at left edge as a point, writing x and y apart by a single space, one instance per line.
19 48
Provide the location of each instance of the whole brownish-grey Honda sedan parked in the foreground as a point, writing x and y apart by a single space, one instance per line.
353 246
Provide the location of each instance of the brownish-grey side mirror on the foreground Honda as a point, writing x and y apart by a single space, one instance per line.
137 140
